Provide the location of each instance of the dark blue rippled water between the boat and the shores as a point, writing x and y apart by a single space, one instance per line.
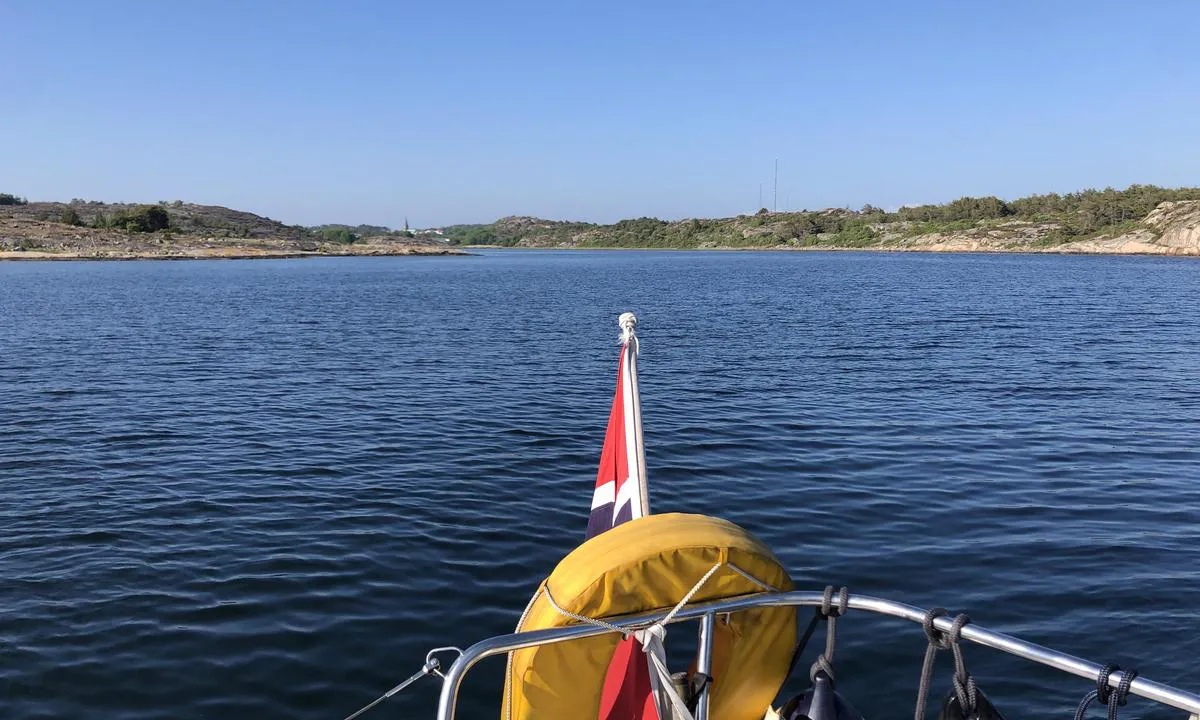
265 489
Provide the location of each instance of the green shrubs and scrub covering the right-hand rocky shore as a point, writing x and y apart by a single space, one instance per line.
1059 219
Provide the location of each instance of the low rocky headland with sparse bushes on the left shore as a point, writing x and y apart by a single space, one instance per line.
97 231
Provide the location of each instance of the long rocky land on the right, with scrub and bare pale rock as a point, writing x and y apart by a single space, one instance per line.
1139 220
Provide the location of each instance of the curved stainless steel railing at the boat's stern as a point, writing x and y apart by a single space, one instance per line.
709 611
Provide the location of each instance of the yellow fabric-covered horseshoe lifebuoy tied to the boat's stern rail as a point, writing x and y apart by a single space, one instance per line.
644 566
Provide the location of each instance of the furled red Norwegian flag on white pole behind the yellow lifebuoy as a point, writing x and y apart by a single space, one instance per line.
621 496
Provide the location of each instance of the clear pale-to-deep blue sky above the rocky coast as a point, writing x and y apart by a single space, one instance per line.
442 111
